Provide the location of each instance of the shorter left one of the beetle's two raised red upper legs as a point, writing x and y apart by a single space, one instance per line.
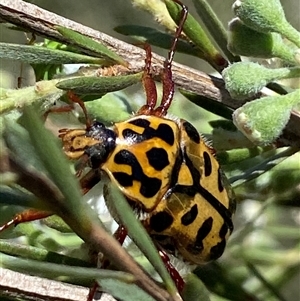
149 85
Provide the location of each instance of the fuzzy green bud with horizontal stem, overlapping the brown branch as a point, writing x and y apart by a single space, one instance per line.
245 79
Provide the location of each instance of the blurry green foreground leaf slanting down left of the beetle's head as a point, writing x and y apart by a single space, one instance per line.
57 165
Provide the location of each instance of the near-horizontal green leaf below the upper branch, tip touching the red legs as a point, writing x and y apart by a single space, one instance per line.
99 85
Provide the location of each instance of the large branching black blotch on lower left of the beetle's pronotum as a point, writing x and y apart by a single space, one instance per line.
149 186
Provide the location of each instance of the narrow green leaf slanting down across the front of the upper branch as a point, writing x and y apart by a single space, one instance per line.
90 44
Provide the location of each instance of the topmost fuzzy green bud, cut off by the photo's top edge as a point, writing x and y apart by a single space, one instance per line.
266 16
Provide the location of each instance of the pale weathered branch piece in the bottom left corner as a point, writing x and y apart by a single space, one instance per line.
16 285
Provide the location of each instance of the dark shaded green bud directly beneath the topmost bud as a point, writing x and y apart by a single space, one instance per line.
243 40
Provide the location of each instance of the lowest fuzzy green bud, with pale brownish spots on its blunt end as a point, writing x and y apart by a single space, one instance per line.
263 120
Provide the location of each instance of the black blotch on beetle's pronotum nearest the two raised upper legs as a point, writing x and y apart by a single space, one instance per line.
164 132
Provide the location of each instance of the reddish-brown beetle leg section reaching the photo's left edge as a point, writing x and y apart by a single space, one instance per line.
25 216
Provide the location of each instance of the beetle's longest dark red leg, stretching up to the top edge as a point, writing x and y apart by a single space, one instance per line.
167 81
